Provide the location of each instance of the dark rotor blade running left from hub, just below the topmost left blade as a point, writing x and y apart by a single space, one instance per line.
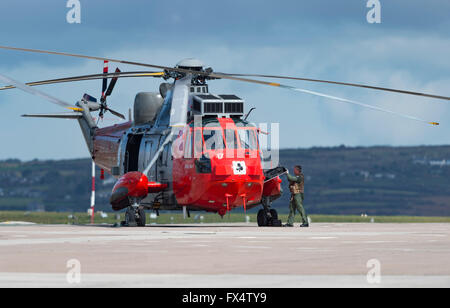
91 77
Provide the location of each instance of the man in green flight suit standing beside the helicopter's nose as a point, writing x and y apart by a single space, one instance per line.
296 186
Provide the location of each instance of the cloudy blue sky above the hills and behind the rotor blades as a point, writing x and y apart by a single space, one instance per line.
322 39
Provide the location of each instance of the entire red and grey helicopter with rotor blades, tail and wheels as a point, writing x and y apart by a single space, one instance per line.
186 148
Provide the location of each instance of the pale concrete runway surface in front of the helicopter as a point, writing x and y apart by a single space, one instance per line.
227 255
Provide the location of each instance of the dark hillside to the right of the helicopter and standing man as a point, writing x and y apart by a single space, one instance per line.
376 181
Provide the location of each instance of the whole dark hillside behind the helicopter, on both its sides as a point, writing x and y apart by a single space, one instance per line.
412 181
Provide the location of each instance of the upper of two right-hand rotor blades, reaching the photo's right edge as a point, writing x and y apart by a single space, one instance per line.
345 84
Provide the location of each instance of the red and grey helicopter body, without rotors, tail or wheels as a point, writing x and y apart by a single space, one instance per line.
214 165
